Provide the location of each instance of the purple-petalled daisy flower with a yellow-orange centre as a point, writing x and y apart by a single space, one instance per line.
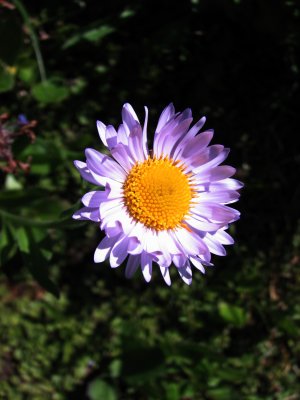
165 206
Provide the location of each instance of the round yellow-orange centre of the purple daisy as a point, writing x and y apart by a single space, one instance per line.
158 193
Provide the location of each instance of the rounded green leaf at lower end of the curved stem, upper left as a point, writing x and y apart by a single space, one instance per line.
48 92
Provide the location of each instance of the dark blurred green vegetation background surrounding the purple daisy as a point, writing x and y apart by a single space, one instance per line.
70 329
